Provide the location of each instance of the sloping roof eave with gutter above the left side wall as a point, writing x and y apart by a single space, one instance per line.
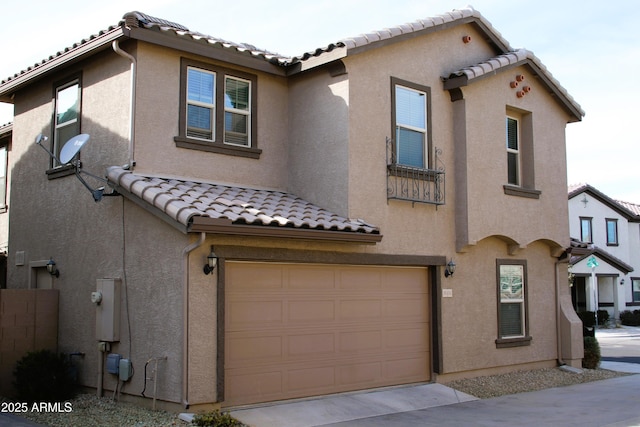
70 56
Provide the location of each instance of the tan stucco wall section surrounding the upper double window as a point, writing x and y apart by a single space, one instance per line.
158 106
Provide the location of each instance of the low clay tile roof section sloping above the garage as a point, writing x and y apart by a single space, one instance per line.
182 200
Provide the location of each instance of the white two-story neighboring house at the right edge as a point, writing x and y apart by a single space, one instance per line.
612 228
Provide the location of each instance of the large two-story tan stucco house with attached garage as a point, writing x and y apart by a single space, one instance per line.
333 189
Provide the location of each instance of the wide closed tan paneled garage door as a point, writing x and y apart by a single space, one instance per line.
298 330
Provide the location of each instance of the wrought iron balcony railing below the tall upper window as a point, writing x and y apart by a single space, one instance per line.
413 184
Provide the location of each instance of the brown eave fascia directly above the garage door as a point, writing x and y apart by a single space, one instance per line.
202 224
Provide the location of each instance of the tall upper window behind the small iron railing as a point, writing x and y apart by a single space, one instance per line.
411 123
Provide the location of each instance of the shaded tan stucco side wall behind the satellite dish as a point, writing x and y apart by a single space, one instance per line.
58 218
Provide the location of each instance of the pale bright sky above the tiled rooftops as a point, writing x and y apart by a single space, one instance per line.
589 46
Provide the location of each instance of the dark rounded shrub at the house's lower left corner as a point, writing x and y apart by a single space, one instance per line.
43 376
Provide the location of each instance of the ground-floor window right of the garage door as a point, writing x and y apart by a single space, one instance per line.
512 303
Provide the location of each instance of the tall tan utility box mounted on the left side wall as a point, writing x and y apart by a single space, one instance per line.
107 299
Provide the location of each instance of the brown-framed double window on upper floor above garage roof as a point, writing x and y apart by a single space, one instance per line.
217 110
